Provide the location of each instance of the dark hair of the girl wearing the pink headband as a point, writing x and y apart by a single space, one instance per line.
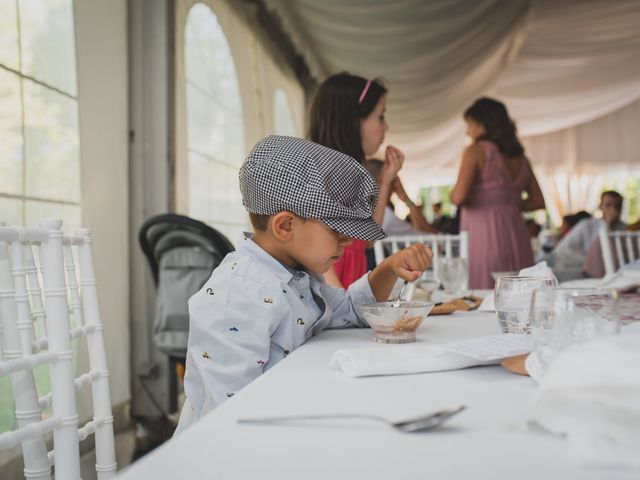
337 110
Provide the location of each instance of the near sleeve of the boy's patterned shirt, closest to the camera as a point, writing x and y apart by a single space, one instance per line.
231 323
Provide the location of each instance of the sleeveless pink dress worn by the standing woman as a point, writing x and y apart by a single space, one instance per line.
498 237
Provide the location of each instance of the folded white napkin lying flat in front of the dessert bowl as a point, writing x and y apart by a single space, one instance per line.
417 358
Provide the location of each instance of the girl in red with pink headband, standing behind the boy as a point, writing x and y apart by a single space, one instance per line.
348 115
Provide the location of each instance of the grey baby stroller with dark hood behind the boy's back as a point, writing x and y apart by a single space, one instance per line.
182 253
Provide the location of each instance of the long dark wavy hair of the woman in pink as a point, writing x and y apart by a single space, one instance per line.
499 127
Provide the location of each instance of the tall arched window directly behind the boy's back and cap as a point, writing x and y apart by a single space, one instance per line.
215 126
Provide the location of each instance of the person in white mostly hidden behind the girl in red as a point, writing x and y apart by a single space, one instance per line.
391 224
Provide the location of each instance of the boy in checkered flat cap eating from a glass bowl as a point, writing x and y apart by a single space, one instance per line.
306 202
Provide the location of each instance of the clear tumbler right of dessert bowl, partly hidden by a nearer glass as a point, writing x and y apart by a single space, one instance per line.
512 296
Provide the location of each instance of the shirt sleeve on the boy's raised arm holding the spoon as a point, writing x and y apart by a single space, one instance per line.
343 302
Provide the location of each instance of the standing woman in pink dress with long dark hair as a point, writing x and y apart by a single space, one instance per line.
492 178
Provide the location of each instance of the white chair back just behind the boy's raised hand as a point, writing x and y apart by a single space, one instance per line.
446 245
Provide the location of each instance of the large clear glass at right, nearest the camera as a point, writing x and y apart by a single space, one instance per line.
561 317
